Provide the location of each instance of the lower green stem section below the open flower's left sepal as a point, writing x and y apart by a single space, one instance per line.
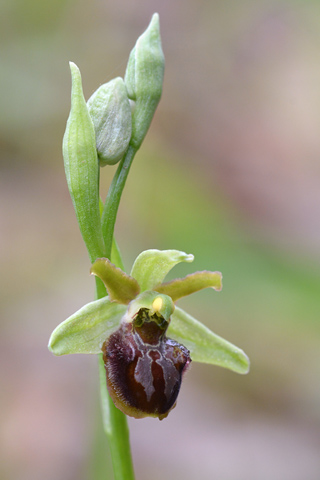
116 428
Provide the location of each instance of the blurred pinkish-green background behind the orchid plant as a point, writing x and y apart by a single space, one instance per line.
230 171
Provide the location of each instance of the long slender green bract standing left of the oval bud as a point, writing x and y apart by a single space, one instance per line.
82 168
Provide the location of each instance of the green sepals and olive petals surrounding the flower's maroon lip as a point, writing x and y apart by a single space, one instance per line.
86 330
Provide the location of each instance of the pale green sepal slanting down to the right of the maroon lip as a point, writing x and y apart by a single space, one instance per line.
204 345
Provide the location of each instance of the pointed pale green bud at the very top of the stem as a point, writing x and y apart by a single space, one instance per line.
144 79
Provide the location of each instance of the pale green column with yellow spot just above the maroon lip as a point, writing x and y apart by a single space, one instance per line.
154 302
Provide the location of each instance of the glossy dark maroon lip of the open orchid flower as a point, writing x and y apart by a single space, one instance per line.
144 367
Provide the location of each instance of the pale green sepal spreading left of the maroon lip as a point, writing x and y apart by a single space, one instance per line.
87 329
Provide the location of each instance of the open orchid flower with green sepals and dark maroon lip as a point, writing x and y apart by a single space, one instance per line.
146 340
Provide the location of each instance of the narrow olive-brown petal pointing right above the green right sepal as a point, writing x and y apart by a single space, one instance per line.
180 287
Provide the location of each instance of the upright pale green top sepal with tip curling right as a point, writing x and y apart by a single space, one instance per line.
151 266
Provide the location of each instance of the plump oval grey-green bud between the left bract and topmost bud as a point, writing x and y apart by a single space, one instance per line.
110 110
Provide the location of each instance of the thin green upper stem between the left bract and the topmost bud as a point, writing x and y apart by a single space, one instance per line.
109 214
